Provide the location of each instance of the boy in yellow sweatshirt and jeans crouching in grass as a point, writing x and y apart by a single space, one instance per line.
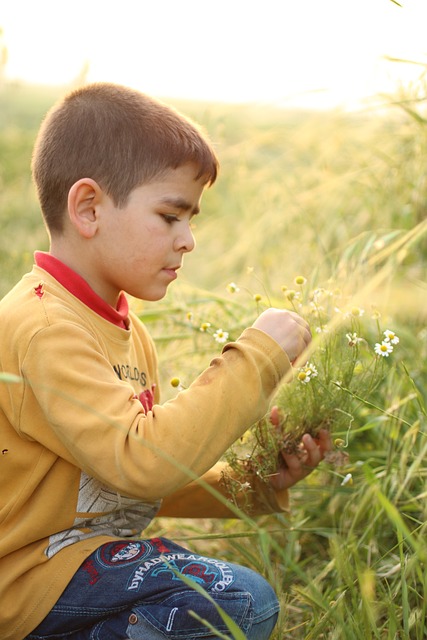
89 454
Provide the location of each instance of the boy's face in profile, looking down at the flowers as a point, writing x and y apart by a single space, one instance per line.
141 246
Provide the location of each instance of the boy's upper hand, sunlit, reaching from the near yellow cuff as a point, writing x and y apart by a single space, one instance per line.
287 328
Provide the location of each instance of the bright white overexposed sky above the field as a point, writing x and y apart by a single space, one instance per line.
316 53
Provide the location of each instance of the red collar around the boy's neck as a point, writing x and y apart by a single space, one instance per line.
76 285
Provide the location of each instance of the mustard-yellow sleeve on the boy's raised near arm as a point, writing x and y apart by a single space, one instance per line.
95 422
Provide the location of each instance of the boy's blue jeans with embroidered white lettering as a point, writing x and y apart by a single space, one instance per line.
131 589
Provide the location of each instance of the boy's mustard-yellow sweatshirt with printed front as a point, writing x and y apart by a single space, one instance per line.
87 453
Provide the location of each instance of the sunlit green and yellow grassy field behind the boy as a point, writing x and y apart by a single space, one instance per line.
337 201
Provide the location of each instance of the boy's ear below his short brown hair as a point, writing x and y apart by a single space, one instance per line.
84 199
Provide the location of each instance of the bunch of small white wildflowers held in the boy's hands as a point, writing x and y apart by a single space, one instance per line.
349 359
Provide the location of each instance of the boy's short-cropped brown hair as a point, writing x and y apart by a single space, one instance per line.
117 136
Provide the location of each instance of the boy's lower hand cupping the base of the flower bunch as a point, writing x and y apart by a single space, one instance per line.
293 467
